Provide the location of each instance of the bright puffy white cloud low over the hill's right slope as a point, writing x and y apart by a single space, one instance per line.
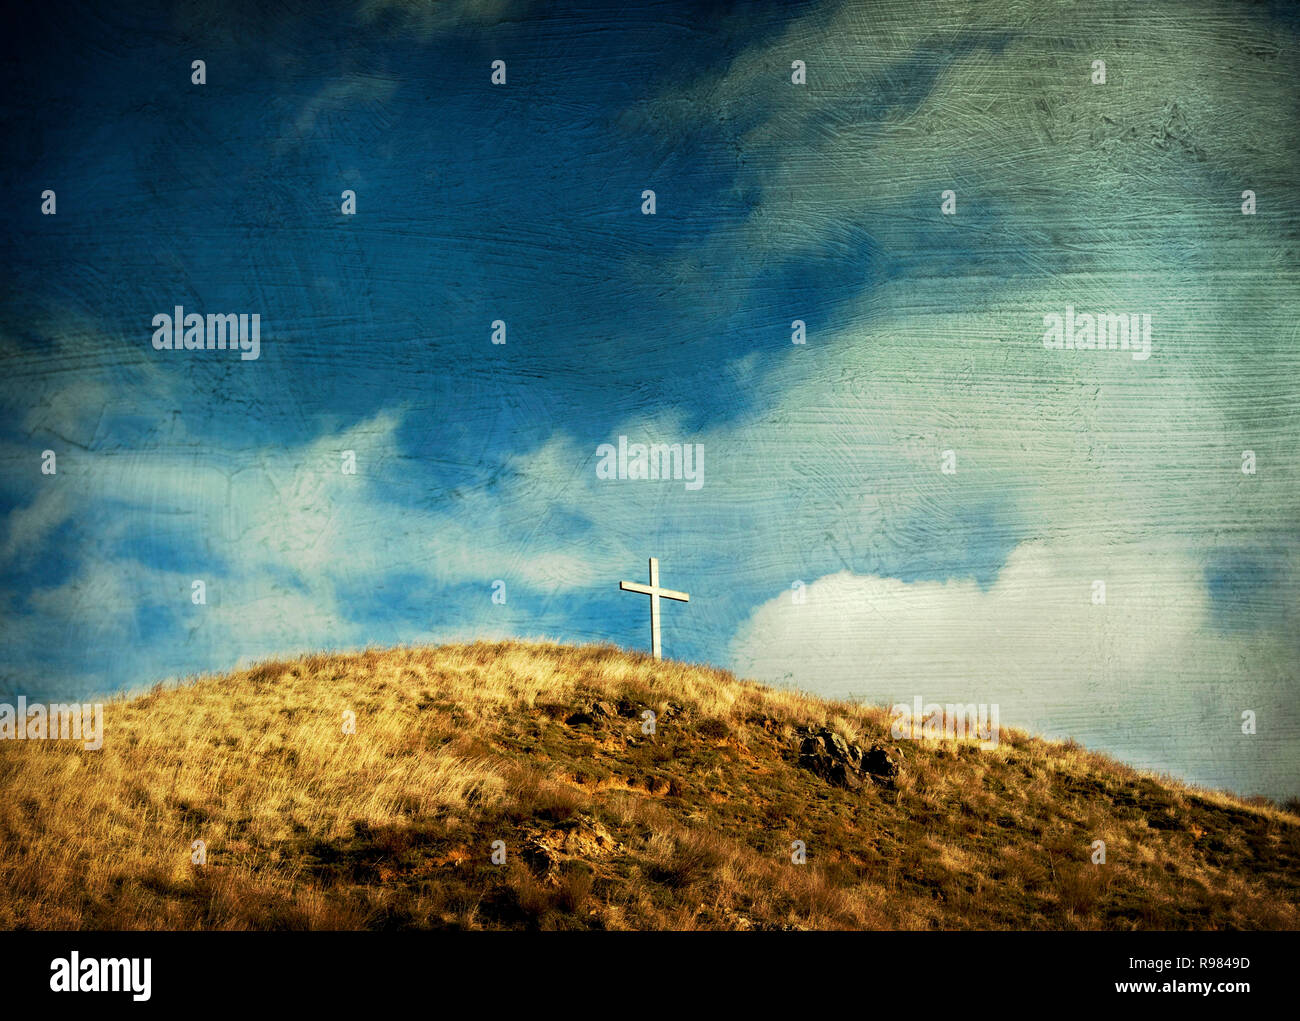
1145 676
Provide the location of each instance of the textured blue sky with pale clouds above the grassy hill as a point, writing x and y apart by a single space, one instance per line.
827 547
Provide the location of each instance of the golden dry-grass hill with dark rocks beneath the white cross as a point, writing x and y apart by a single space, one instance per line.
604 827
